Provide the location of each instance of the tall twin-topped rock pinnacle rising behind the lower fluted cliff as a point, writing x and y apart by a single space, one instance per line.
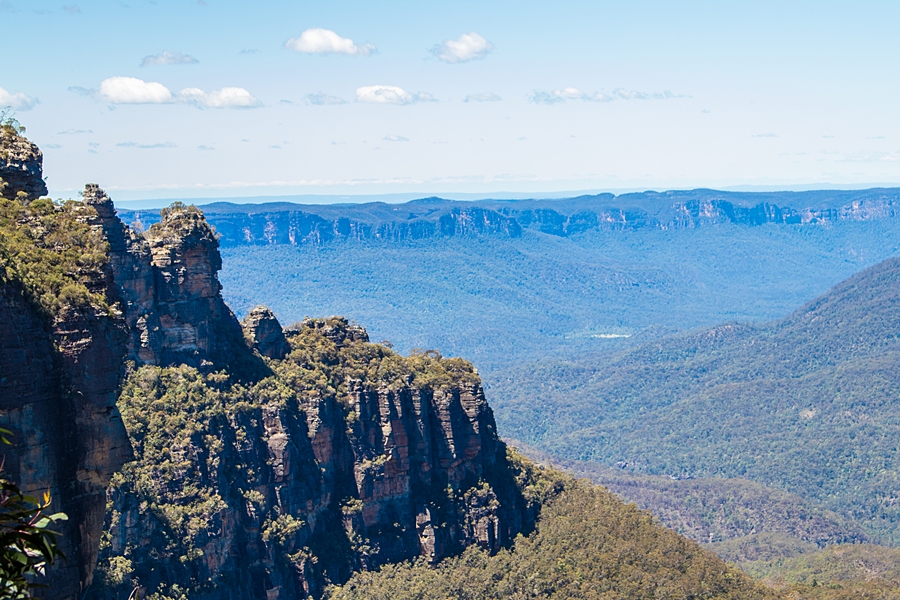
167 281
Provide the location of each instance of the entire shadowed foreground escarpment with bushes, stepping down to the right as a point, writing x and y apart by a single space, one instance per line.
267 463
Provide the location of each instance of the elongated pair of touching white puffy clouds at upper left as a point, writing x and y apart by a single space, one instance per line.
131 90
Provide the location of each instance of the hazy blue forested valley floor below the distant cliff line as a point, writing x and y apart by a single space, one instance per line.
502 301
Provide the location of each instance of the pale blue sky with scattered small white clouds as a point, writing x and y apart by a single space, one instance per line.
218 98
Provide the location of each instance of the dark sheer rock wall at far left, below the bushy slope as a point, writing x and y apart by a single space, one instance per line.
59 380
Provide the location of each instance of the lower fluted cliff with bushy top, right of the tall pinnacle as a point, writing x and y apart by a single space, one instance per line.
344 458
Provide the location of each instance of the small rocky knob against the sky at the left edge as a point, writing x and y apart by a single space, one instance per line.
21 165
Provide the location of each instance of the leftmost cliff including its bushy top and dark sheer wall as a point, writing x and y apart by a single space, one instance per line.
61 362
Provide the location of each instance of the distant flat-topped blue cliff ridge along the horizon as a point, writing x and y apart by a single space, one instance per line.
287 223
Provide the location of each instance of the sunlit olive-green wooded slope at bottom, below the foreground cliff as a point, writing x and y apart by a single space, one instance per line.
588 545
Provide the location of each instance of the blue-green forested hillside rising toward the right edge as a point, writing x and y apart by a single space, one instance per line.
806 404
